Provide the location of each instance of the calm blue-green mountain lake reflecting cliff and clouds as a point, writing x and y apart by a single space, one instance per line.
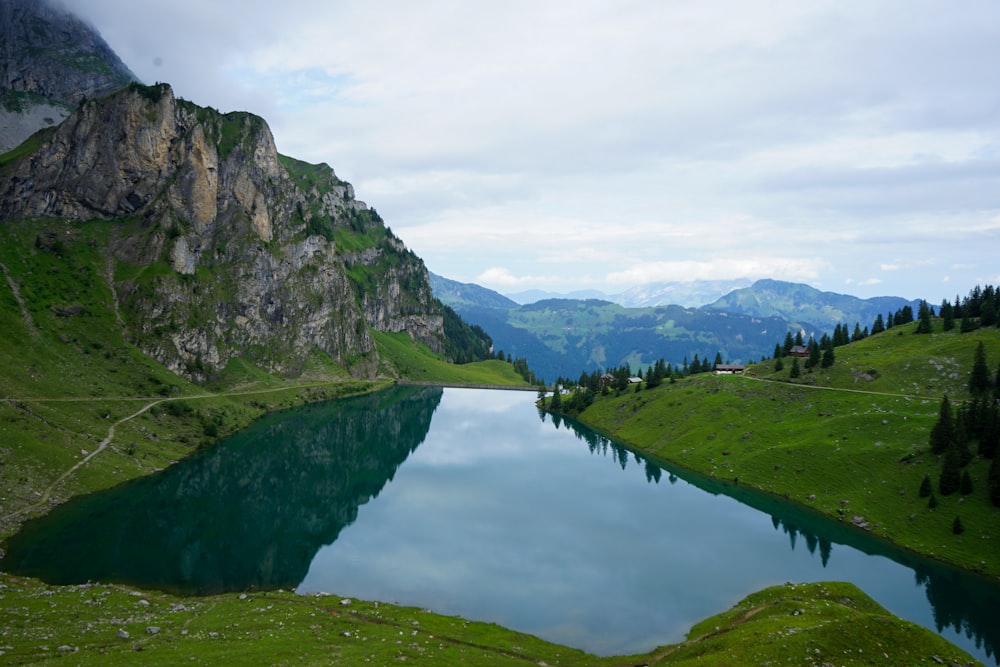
468 502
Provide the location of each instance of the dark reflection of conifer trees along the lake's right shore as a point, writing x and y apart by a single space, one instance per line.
962 602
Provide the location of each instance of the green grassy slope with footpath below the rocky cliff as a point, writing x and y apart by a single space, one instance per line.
70 376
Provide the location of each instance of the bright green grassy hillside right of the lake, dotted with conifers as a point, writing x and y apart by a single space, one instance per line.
853 455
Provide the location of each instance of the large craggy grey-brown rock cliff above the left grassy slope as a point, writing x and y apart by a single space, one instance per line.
221 248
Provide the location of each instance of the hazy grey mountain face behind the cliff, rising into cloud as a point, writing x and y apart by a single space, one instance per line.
49 62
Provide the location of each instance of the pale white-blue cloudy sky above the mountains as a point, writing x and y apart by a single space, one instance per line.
571 144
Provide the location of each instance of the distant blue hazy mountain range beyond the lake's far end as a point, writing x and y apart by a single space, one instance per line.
561 337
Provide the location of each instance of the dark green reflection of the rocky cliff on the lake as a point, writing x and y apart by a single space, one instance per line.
248 513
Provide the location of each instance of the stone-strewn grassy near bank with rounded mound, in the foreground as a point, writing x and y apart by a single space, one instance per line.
84 623
